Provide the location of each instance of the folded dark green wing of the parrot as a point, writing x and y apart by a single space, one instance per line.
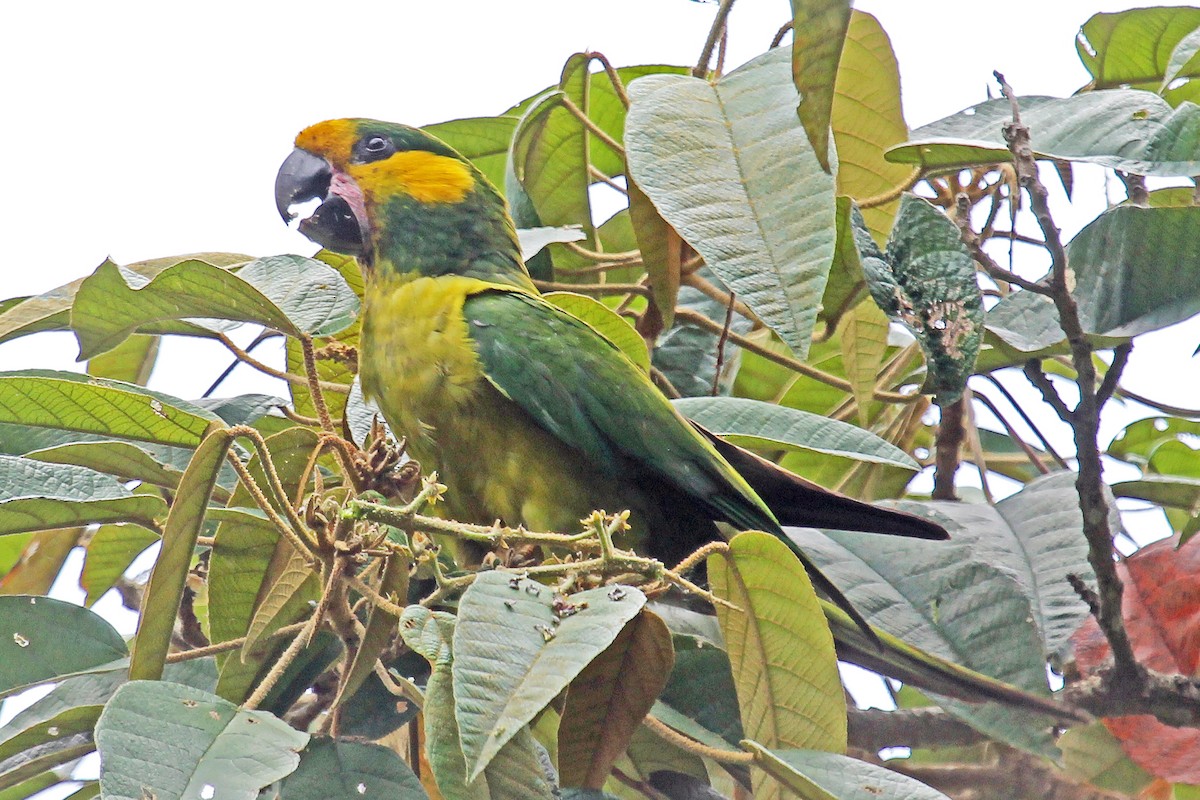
580 388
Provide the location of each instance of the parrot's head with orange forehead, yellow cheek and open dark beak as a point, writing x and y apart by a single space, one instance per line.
399 201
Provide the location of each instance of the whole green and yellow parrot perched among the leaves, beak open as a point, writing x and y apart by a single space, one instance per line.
531 416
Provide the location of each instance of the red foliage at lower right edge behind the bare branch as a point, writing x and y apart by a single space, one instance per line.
1162 615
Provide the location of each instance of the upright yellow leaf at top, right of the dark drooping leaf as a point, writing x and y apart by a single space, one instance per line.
867 121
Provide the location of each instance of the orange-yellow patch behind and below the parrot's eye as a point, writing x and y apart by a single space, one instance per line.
423 176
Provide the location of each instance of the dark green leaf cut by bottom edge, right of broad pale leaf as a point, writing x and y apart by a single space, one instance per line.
333 769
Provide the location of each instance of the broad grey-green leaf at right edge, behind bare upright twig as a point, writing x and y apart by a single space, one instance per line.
1137 270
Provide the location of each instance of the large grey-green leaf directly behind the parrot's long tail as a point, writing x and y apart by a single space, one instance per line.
941 598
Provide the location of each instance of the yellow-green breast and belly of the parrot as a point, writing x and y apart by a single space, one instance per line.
419 365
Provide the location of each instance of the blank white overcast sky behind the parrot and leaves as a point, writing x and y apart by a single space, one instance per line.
139 130
